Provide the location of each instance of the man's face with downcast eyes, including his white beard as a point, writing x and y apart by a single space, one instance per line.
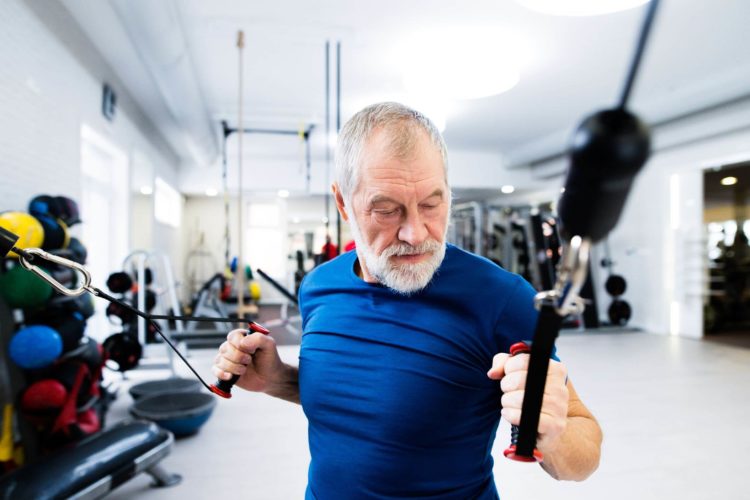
399 214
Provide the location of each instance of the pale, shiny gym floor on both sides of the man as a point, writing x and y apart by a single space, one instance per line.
674 412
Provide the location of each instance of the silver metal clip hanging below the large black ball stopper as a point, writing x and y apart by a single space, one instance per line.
571 277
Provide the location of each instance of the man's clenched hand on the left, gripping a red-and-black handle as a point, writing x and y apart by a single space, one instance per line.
255 358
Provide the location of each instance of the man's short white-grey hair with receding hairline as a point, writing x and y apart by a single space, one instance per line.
402 124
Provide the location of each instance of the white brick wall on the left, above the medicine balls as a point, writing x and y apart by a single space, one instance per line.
51 81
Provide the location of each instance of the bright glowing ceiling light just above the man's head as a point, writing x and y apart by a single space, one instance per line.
455 63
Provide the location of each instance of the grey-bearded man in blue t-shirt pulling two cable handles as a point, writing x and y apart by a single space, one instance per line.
404 341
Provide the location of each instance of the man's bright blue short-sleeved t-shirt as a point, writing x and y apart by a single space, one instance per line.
395 388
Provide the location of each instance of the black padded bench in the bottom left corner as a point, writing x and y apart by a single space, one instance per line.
96 465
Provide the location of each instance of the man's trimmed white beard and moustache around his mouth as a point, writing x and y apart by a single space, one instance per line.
405 279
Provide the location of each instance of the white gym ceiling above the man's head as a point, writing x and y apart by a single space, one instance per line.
179 59
